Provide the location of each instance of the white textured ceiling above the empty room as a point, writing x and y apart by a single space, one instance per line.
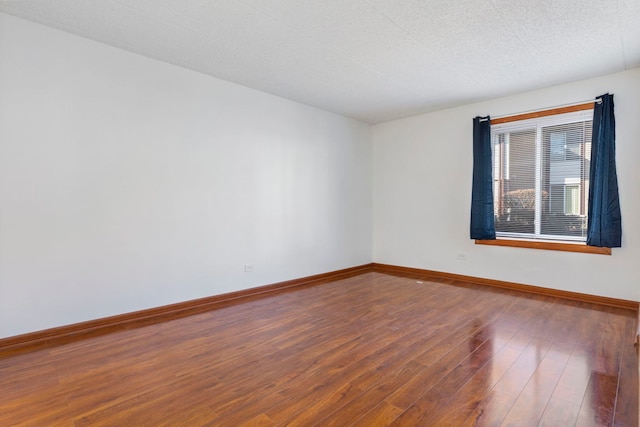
373 60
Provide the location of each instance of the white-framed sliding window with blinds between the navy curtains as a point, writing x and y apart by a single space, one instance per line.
541 177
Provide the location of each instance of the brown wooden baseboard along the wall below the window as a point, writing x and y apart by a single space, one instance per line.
438 275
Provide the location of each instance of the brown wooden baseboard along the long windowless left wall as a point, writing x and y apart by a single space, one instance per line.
77 331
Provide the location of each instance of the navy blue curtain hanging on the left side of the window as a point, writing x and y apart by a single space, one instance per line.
482 220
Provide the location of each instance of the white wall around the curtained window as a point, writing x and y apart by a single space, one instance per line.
422 195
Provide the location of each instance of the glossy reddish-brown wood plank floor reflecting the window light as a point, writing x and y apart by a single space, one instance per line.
371 350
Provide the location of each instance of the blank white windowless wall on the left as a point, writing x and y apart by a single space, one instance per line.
127 183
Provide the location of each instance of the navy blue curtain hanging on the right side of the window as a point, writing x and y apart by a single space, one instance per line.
604 220
